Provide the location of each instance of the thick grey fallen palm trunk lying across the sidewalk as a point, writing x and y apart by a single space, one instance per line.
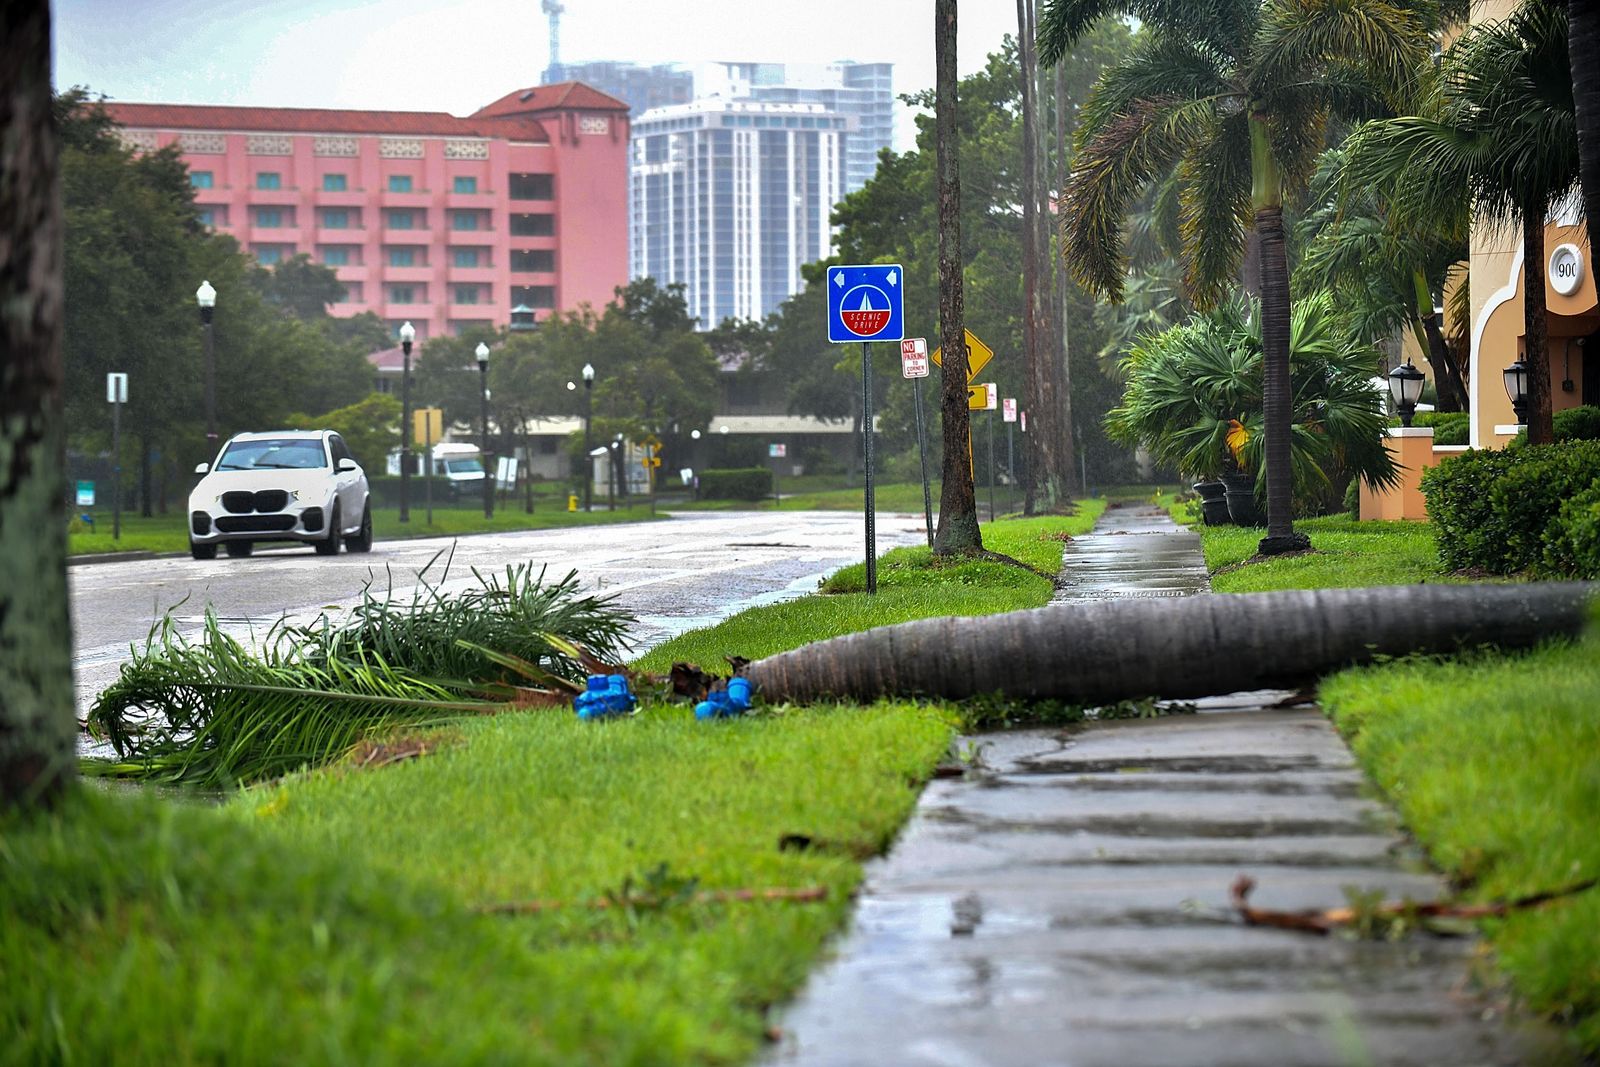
1114 650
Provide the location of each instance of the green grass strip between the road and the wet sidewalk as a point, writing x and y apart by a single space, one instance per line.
332 916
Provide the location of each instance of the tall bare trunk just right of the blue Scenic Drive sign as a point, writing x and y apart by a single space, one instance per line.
958 503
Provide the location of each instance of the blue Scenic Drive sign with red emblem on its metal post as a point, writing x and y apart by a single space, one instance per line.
866 303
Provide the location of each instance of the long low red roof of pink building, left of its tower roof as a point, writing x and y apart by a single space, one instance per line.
324 121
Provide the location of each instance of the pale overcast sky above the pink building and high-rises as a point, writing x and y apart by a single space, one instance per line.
455 57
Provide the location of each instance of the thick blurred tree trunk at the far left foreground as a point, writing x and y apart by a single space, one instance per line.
38 725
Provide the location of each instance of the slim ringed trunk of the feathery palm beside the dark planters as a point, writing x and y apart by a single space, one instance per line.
1268 202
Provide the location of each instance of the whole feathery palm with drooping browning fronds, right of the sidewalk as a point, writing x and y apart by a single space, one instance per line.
1234 97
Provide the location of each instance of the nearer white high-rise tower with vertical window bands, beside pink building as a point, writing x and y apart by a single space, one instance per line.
732 198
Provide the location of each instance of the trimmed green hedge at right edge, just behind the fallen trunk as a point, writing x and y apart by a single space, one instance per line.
1527 510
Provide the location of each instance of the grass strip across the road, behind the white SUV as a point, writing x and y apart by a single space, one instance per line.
170 533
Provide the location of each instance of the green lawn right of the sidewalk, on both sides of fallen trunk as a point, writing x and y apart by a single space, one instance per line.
1492 761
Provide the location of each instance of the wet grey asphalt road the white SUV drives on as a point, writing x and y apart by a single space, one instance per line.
678 575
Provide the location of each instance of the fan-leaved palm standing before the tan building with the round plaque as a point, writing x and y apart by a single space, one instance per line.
1502 127
